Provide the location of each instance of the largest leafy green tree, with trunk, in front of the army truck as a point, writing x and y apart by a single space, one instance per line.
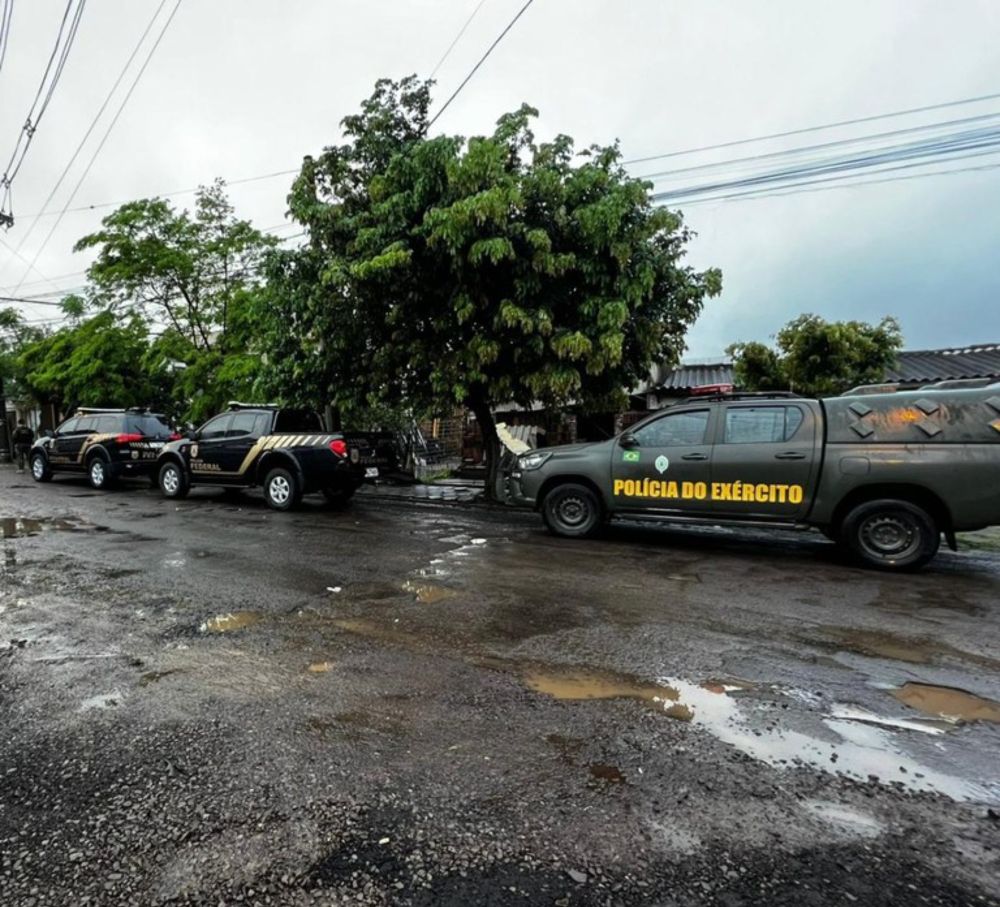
481 271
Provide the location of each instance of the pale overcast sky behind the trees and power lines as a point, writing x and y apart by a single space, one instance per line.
240 88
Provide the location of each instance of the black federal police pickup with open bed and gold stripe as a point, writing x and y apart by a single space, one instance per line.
288 452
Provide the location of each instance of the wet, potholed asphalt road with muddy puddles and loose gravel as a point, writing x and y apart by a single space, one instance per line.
211 703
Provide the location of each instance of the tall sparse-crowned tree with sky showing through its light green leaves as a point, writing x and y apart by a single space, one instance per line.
193 275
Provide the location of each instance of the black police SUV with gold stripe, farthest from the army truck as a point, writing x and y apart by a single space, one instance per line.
106 444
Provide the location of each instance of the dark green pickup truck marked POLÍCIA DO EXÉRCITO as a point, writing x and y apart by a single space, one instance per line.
883 474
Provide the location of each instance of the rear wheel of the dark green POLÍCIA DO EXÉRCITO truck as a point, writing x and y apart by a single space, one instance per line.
891 535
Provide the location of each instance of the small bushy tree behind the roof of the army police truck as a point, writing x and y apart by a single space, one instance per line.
816 357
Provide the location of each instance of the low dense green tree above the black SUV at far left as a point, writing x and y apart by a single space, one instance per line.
97 362
